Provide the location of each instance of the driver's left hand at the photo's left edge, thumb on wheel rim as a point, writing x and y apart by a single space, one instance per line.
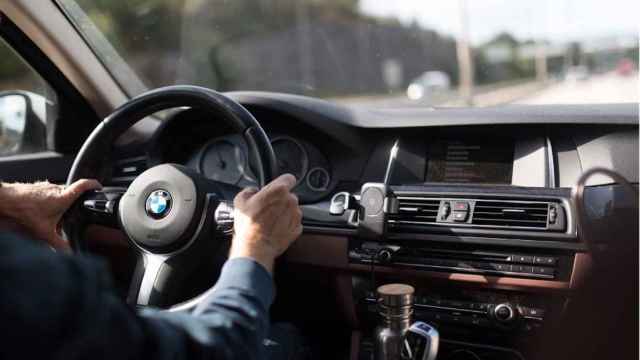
39 207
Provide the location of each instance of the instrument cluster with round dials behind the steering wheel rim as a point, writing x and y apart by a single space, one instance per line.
192 139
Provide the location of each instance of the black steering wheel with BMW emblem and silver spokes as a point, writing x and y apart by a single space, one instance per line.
175 218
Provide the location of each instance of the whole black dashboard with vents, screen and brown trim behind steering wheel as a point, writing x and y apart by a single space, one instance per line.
483 216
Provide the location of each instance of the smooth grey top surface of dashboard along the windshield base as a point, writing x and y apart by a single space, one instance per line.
622 114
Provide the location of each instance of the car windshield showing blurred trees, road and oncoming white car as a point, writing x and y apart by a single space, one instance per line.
373 53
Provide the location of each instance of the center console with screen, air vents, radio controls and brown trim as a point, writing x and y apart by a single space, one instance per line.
490 262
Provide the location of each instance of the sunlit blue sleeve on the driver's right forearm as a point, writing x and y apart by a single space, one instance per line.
231 323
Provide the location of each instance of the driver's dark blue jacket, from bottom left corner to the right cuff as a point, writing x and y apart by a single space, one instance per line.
61 306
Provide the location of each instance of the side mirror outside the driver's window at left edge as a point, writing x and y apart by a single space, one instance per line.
22 122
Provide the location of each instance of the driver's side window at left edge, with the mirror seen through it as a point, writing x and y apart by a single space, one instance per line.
27 103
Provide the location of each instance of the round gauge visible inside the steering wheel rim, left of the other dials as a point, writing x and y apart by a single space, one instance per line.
223 161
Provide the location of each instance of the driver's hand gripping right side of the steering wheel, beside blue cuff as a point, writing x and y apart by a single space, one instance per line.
266 221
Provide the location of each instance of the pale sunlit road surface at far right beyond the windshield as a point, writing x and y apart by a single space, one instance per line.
604 88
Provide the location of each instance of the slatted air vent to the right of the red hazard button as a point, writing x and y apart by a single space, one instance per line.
511 214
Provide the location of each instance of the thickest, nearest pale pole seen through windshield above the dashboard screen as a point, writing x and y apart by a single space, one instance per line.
463 52
